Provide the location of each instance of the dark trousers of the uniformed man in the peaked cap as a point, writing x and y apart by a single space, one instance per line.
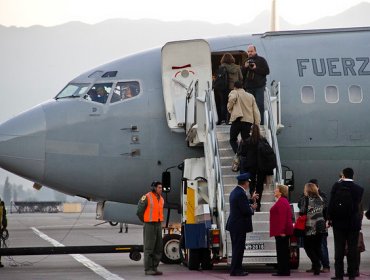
238 245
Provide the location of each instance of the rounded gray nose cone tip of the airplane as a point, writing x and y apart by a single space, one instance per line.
22 144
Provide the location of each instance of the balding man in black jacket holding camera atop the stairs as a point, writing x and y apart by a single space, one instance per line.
254 72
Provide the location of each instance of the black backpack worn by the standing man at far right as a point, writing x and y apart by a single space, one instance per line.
342 203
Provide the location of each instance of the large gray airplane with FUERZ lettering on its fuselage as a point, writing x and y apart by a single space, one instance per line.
111 131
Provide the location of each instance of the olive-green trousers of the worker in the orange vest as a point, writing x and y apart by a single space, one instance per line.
153 245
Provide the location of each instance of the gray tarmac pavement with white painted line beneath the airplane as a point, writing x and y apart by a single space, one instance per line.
58 229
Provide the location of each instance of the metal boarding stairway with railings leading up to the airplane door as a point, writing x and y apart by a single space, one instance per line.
260 248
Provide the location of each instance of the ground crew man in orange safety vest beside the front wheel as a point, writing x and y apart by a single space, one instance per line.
150 211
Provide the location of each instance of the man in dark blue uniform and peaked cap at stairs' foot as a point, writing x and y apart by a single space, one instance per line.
240 222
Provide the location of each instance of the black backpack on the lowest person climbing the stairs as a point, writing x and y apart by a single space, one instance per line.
266 159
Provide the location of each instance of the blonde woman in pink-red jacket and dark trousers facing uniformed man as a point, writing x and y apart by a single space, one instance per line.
281 226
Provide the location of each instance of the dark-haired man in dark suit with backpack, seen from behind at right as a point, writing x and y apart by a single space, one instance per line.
346 228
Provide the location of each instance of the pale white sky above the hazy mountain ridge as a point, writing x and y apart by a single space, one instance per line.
25 13
